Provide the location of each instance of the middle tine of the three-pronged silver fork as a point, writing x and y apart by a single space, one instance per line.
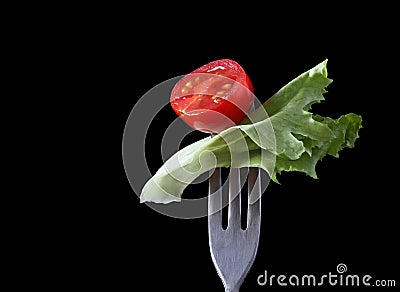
234 198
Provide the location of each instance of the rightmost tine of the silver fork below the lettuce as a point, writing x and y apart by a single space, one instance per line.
254 202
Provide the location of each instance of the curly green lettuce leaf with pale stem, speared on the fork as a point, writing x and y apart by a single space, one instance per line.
289 138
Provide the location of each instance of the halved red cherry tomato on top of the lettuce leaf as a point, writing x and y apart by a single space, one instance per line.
213 97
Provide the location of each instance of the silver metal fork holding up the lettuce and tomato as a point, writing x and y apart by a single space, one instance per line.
233 250
